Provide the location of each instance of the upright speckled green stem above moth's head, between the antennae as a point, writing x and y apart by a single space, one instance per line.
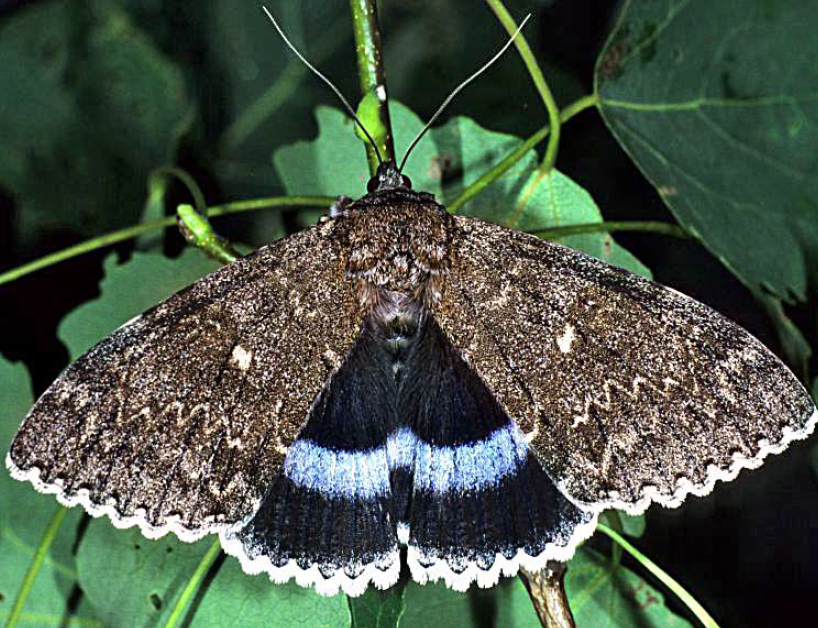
371 74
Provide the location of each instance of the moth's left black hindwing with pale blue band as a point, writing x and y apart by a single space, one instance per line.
327 518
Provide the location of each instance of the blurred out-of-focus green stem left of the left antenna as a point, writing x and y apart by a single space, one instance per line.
279 91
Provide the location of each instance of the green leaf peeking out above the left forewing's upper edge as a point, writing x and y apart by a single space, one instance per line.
128 290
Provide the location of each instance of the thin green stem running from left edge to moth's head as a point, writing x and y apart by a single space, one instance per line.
131 232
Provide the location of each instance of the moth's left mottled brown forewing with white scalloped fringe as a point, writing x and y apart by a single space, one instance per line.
179 419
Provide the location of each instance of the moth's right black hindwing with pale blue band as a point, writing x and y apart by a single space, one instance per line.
480 503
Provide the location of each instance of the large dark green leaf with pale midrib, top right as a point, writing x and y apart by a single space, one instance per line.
716 102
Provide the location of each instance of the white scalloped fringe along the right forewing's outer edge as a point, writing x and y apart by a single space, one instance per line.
685 487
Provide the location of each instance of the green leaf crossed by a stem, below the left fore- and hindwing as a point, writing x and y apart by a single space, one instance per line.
133 581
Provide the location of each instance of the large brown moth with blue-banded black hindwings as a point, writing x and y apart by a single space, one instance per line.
399 377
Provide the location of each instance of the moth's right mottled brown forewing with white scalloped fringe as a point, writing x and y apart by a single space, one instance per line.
628 391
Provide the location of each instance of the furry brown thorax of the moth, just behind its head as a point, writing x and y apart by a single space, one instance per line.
396 242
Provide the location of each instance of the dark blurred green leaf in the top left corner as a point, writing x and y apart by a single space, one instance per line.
88 106
